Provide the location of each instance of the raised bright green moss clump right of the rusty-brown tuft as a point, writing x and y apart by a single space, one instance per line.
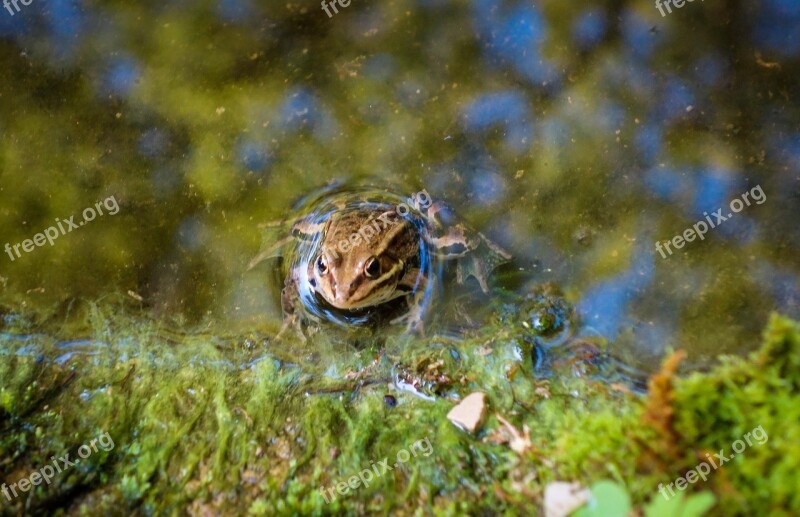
717 409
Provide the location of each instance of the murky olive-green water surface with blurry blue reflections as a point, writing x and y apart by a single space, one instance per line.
574 136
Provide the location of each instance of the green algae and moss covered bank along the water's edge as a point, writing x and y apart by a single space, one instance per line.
226 425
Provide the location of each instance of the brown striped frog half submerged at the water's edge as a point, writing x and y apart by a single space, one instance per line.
368 256
